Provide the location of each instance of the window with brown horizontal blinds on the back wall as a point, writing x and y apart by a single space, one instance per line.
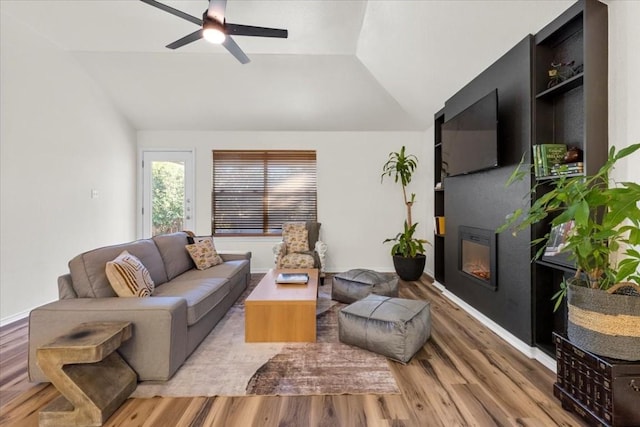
254 192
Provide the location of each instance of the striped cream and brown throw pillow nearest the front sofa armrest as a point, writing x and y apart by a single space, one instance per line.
129 277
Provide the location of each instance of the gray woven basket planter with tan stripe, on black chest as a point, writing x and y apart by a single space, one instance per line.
603 323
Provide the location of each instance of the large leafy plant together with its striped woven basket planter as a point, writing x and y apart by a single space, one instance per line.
605 226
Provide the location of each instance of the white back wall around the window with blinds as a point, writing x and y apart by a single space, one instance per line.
357 211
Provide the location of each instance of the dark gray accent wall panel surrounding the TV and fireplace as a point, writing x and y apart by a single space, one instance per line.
481 199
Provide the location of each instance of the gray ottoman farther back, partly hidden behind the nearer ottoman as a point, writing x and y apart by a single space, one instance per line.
354 285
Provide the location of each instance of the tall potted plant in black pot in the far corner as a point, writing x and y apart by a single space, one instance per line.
408 251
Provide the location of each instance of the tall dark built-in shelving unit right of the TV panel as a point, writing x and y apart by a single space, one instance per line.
573 112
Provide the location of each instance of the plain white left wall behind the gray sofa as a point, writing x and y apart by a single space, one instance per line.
60 139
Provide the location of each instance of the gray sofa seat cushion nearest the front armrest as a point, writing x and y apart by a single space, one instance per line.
201 295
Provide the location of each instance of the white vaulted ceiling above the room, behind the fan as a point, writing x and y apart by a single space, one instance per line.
347 65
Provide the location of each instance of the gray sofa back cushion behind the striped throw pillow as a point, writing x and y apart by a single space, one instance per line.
88 269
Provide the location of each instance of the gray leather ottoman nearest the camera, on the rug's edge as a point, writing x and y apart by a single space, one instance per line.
394 327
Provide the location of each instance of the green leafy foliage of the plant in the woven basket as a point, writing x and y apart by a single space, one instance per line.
606 220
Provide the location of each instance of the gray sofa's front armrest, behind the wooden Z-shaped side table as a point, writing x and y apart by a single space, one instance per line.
155 351
